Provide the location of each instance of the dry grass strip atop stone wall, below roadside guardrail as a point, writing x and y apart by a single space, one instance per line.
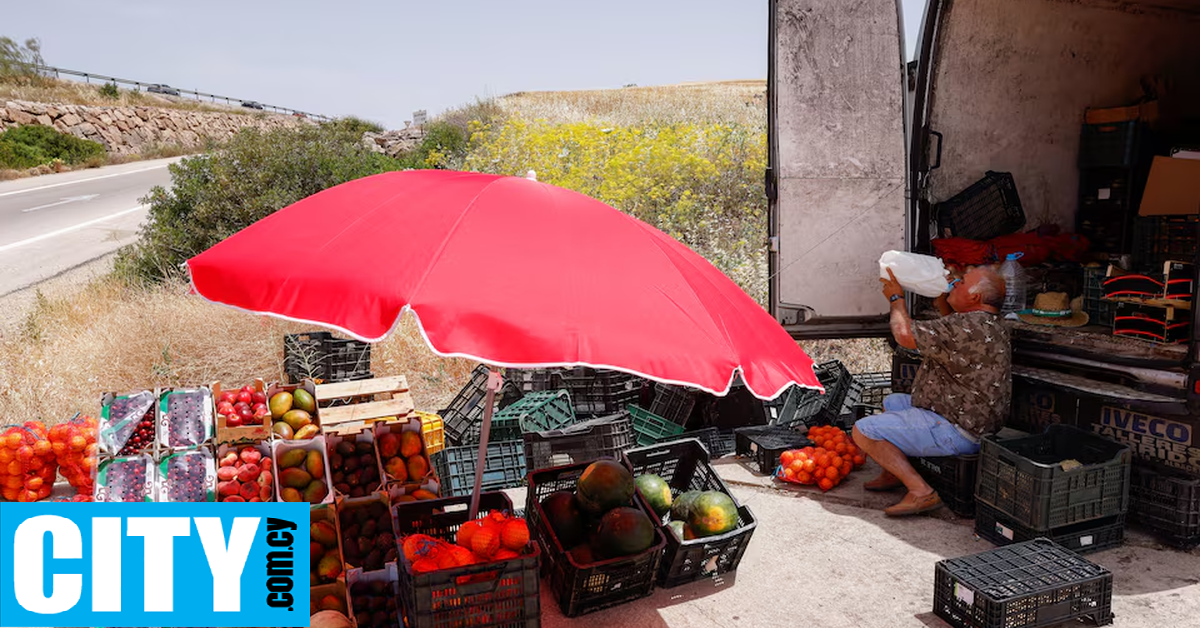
51 91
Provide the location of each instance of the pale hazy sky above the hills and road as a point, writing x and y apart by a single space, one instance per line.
385 59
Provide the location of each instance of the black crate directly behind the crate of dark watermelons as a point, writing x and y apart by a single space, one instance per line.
604 438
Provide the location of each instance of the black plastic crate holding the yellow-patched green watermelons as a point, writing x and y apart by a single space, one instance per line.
685 466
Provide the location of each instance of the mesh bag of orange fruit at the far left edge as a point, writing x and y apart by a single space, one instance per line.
27 463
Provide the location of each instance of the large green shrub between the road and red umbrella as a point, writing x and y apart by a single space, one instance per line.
217 195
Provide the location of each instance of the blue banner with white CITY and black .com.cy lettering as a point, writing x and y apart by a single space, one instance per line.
151 565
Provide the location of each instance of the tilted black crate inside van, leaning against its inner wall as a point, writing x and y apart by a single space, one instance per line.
986 211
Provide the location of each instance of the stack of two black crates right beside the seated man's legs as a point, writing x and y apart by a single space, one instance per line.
1066 485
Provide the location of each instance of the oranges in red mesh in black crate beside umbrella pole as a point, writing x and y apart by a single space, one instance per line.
496 537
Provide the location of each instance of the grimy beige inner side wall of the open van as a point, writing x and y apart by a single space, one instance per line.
1012 81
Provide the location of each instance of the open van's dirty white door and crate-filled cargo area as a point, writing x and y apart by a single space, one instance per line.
1065 130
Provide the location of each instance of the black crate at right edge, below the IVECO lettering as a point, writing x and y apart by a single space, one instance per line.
1167 505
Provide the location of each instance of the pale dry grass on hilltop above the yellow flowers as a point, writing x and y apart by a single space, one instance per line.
731 103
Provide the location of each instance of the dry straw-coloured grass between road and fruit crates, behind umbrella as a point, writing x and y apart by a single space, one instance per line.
115 338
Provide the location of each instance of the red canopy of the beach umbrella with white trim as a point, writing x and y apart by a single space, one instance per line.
508 272
